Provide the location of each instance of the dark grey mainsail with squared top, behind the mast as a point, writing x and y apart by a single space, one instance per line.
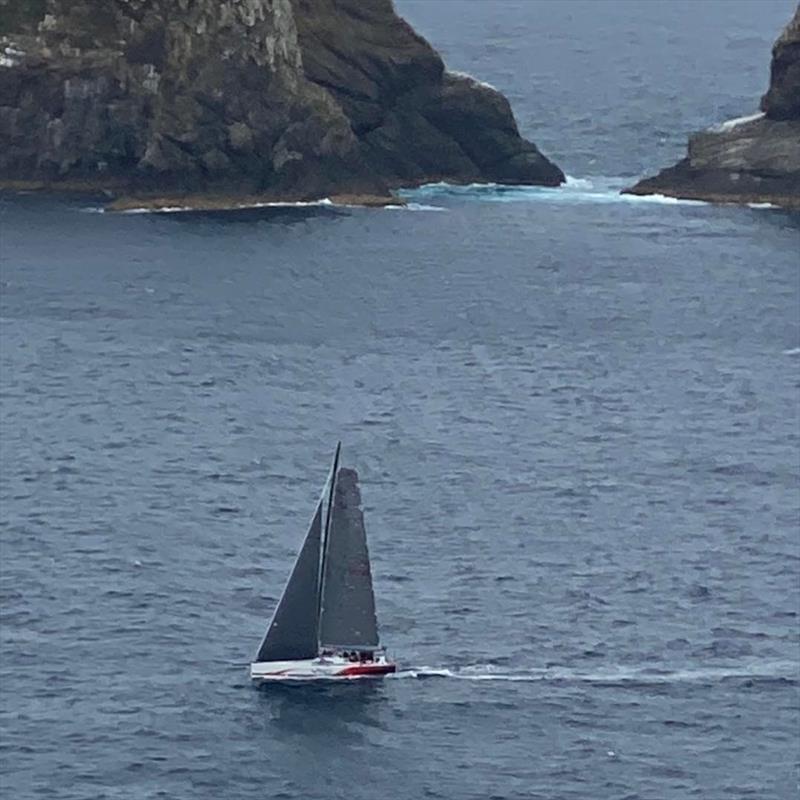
347 617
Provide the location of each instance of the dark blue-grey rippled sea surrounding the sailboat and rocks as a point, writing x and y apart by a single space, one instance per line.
575 418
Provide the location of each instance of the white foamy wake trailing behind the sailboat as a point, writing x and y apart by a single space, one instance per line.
779 671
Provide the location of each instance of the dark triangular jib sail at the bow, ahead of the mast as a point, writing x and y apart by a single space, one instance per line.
293 631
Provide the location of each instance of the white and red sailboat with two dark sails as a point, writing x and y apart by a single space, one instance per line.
324 625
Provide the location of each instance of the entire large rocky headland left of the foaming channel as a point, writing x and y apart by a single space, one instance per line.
285 99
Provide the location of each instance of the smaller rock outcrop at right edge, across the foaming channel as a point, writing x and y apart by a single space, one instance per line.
753 159
